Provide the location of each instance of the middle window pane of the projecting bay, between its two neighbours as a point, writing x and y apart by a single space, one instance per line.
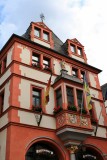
70 96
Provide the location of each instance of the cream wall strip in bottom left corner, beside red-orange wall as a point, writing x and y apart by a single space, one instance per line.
3 135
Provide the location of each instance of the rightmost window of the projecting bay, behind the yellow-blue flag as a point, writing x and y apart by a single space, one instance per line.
80 98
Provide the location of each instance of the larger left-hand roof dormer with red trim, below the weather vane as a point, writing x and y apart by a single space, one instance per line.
41 34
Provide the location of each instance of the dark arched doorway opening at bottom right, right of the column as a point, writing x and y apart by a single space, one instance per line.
88 153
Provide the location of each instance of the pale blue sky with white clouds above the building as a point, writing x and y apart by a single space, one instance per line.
85 20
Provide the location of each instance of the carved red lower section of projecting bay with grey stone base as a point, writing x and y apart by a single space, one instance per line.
71 126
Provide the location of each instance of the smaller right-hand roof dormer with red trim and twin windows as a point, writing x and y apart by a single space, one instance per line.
76 50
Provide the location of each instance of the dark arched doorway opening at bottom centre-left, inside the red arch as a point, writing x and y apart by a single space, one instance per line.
41 151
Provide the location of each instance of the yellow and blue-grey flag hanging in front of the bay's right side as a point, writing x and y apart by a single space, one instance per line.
87 91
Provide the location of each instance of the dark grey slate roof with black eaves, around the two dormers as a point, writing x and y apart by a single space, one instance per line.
59 46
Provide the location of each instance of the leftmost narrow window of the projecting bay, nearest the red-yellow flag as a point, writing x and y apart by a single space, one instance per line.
59 98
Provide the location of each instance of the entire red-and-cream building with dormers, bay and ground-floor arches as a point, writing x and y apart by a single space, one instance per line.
64 128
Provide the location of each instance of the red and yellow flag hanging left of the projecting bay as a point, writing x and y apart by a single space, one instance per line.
46 100
